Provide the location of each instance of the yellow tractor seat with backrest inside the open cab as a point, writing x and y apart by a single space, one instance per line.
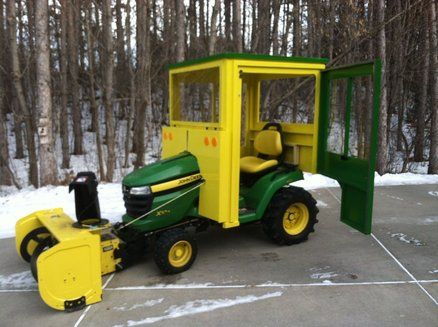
268 144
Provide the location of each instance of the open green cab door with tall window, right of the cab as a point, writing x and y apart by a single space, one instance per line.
347 137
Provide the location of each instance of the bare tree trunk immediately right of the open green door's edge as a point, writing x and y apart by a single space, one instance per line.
382 152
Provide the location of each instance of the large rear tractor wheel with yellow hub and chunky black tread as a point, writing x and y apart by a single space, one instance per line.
290 216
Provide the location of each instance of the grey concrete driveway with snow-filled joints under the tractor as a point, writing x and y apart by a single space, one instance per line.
338 277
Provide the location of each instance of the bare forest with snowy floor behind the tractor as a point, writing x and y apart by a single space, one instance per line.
83 84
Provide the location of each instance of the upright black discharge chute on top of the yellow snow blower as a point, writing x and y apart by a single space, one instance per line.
86 198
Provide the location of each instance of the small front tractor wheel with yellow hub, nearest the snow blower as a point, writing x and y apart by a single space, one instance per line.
175 251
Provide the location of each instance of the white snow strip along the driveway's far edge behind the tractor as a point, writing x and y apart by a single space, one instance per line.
16 204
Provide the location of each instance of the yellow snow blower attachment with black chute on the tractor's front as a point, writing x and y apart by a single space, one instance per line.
68 258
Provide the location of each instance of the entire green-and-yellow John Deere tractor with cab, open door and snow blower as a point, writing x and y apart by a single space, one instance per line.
229 155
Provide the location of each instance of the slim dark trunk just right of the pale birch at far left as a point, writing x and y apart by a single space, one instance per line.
63 62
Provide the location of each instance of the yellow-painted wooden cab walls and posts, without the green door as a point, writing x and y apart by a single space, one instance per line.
219 165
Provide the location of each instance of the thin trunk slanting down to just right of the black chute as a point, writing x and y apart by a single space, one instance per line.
92 92
